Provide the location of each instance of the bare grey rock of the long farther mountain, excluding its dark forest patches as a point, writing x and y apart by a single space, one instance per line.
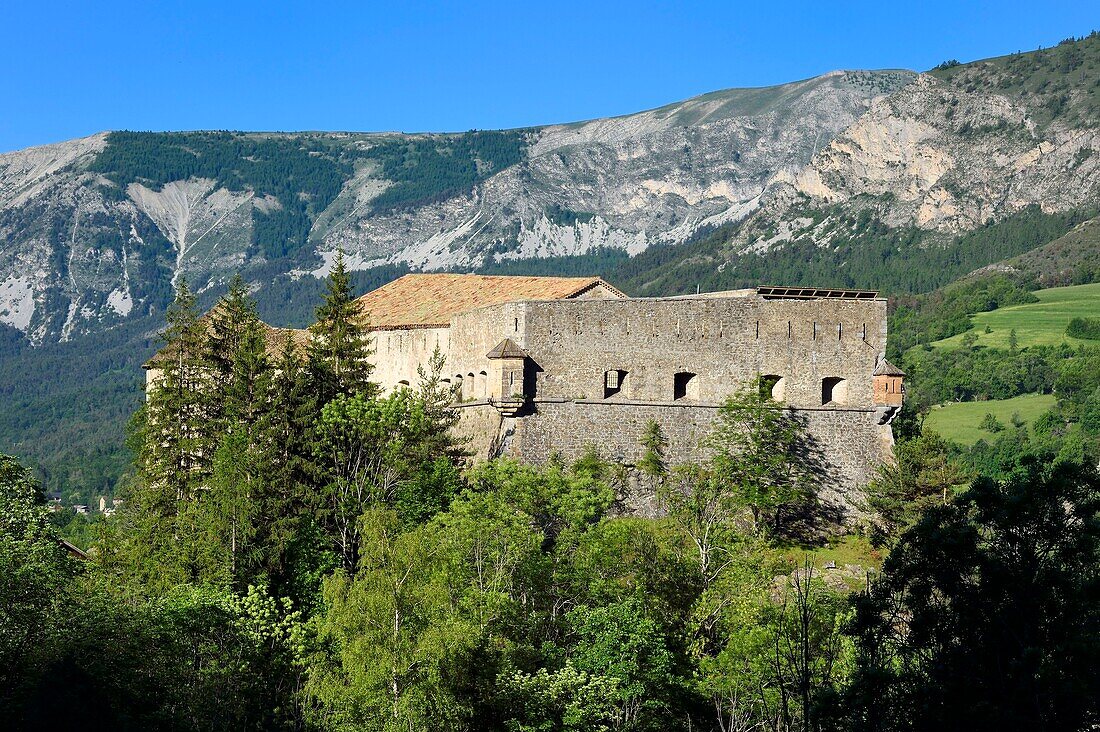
84 249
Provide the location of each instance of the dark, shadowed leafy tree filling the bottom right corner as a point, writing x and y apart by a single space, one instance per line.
986 614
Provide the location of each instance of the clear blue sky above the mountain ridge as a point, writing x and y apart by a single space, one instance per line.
69 70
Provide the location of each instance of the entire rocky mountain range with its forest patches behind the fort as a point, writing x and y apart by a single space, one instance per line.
97 232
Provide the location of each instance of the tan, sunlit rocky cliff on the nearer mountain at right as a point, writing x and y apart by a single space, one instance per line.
941 158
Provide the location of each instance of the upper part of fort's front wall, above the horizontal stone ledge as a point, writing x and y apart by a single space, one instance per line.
725 342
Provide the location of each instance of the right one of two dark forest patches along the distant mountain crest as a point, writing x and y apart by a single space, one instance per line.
434 168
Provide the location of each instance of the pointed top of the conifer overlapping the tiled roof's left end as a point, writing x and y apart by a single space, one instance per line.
339 343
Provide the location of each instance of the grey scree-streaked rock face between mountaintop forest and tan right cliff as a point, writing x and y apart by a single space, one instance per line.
622 183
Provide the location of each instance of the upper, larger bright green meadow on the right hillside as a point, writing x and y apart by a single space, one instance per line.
1037 324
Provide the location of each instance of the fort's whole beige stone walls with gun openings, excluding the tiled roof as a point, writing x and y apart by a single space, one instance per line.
719 344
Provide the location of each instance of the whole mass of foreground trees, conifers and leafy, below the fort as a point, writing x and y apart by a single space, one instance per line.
296 551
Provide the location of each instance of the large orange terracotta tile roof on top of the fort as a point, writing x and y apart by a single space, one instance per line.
432 300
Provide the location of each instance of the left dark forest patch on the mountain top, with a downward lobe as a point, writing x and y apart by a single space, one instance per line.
303 173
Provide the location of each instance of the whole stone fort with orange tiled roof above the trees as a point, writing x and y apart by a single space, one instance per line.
545 366
